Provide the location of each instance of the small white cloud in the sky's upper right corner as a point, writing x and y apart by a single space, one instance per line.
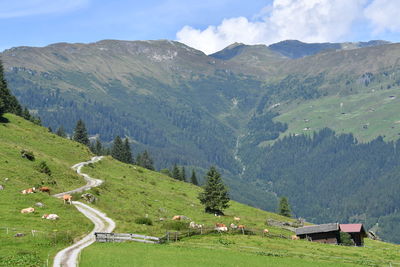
383 15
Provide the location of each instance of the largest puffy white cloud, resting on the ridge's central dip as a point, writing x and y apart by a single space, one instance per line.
306 20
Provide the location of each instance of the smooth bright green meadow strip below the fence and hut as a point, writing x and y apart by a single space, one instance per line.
228 250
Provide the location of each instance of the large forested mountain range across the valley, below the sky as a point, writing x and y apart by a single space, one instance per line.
231 109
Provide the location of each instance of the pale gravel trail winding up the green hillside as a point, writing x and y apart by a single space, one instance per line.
68 257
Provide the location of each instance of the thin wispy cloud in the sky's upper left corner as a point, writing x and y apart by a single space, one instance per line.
15 8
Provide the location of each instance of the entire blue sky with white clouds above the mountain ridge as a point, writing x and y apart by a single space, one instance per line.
207 25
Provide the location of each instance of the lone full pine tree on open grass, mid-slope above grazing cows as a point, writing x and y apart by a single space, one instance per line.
215 197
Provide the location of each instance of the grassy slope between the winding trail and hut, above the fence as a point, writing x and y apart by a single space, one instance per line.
131 192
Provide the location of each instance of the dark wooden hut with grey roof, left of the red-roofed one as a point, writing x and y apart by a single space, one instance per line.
323 233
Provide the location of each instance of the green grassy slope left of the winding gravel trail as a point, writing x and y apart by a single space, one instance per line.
60 154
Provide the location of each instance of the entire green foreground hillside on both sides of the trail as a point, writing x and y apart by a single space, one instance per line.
128 195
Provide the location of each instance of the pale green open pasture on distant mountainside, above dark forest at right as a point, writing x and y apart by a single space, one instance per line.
375 110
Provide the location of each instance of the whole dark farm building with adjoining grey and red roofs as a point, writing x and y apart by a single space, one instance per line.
330 233
